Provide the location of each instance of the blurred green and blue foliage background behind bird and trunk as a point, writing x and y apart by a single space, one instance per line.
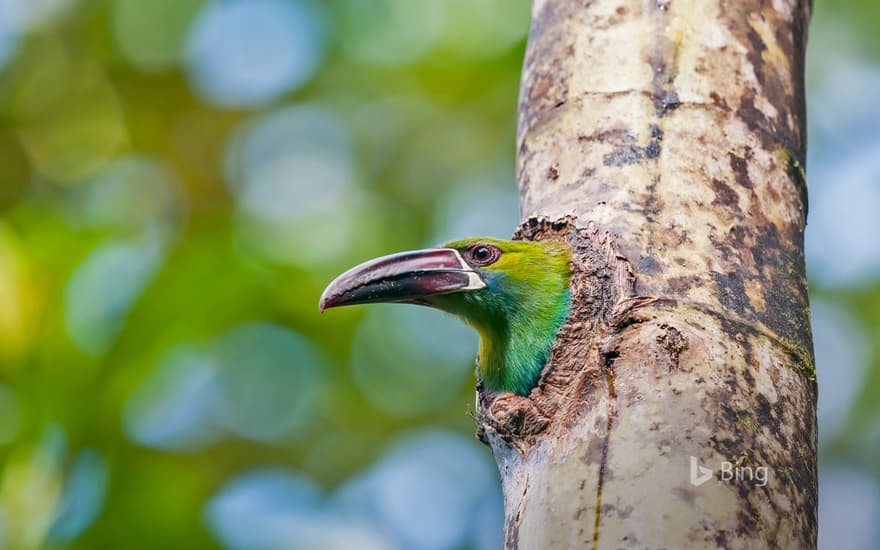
179 179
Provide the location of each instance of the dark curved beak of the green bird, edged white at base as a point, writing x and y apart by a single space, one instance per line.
403 277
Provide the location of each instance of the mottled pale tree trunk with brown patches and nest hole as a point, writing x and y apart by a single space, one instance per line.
665 140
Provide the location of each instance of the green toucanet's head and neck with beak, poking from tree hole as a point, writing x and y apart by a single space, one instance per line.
515 294
